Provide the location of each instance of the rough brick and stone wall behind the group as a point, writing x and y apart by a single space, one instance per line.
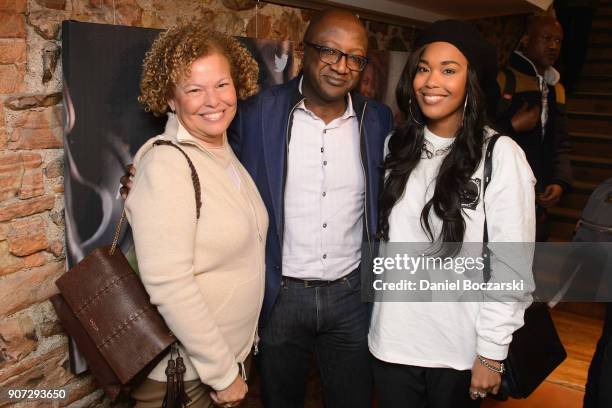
33 349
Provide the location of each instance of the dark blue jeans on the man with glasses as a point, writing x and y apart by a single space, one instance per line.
330 321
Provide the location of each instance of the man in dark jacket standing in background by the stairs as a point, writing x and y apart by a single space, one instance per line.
531 110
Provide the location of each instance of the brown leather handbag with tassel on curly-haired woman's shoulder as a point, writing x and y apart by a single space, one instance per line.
104 306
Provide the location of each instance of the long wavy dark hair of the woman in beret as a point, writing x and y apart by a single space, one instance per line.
405 149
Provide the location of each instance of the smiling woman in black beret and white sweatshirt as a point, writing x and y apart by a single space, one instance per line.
448 354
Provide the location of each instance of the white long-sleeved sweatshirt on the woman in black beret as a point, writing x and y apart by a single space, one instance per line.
450 334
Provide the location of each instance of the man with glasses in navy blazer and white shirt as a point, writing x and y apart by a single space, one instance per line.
315 150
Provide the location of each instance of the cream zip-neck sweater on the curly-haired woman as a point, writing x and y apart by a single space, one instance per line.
206 277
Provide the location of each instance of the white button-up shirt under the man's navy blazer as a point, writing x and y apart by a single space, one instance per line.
324 196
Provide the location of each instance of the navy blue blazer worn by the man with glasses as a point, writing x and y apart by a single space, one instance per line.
259 136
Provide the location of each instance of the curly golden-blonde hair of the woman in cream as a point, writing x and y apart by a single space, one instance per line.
172 54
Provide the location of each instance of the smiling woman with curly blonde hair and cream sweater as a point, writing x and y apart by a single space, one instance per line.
204 270
